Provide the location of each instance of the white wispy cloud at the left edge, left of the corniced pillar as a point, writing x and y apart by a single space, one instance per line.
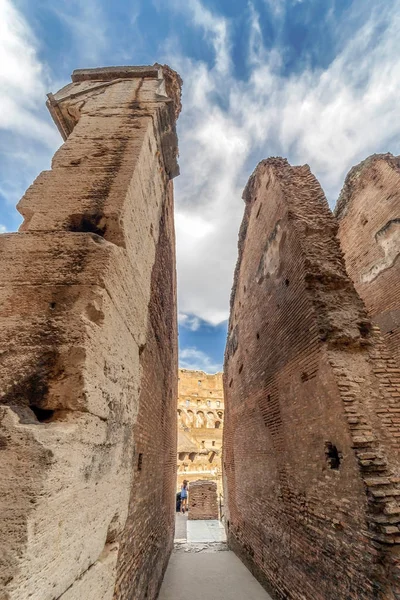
27 136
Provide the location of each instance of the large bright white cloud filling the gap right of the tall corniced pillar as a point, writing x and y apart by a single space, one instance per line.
330 119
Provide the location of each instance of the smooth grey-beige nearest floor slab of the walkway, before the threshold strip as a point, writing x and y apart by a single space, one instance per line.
209 576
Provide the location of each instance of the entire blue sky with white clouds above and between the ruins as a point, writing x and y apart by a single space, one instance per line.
316 81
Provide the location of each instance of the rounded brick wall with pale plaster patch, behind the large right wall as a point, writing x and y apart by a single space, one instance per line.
368 211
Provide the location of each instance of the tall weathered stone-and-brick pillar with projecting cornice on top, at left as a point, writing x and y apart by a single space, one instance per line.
88 349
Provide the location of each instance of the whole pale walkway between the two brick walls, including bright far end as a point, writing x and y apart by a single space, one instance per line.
202 567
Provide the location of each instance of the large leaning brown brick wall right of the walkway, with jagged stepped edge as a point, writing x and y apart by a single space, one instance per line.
312 406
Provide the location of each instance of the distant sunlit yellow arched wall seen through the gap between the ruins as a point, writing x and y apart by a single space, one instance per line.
200 425
